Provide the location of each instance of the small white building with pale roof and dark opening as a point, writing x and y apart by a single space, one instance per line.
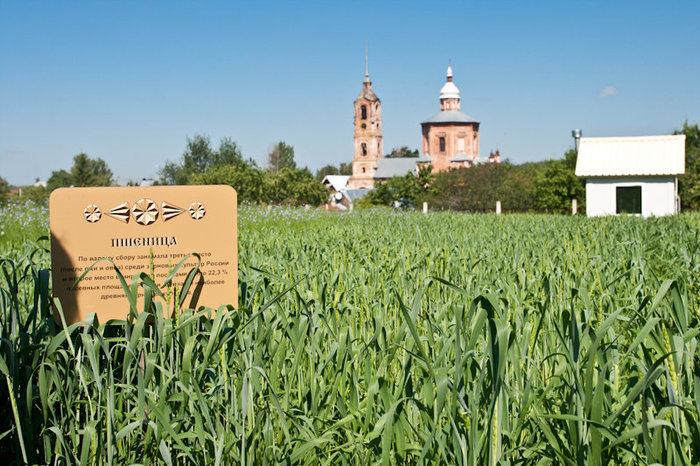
632 175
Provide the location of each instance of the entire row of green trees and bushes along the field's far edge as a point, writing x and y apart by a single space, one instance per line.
547 186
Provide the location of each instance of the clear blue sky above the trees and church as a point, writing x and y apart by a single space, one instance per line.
129 81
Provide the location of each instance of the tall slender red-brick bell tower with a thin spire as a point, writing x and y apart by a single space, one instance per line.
368 144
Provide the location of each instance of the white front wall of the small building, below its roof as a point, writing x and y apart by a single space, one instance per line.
658 195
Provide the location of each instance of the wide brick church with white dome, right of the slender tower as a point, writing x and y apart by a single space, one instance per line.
450 137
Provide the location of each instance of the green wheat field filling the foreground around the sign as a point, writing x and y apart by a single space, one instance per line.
373 337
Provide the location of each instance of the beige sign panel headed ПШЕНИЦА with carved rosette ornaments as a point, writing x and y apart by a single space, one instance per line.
142 229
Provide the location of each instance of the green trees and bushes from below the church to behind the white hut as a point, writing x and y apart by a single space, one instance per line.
548 186
